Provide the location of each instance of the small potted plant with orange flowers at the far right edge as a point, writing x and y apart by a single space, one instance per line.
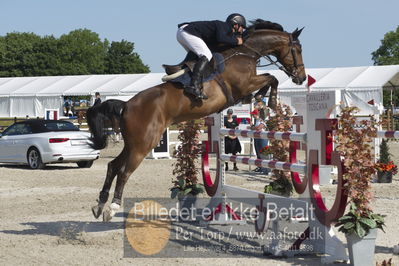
385 166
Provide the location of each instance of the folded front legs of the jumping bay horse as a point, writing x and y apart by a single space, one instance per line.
263 83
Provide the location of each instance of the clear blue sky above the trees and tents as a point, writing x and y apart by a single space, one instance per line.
337 33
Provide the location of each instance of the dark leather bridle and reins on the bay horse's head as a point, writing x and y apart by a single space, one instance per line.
291 51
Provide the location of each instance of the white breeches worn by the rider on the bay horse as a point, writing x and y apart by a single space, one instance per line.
193 43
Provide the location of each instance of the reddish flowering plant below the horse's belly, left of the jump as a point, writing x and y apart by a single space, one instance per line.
186 186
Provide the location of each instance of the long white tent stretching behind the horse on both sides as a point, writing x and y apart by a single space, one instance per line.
23 96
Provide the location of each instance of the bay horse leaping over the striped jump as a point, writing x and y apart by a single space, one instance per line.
147 115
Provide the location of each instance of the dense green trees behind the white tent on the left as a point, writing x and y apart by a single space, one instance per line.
79 52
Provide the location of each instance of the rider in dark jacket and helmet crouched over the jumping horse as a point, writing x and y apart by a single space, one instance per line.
197 36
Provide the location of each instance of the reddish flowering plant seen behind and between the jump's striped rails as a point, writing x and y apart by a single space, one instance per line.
280 120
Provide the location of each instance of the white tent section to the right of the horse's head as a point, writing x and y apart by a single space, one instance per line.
356 86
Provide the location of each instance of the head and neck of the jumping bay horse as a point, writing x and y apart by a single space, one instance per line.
266 38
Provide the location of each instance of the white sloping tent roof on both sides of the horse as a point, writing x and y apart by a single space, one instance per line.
356 78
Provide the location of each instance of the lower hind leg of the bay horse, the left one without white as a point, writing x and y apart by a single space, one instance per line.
113 167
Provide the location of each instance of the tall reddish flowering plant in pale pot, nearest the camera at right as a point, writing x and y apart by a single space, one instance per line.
360 224
